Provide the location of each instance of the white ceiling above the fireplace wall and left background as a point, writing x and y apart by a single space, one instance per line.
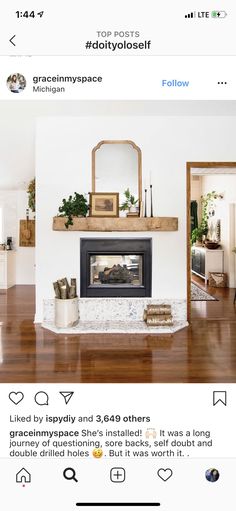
18 120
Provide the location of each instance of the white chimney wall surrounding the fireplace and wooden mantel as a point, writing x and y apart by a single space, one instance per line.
63 166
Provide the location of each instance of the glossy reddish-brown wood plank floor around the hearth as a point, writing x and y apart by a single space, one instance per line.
204 352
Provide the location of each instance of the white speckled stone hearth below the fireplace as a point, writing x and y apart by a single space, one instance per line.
116 315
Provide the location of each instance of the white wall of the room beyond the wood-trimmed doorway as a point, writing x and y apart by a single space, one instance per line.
226 184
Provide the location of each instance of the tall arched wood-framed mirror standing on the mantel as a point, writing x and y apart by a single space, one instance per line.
116 166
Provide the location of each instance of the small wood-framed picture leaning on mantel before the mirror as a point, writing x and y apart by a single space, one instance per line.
104 205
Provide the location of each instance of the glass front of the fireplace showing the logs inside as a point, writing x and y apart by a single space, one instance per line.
116 270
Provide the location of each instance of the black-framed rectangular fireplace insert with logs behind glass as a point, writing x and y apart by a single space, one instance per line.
115 267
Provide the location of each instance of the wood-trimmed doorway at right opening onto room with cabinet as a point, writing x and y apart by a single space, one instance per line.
211 226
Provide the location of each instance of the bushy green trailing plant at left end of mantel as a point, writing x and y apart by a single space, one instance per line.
74 206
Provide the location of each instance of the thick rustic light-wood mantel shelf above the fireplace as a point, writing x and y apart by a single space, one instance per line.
117 224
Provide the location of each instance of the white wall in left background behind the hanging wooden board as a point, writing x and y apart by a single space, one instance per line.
14 204
